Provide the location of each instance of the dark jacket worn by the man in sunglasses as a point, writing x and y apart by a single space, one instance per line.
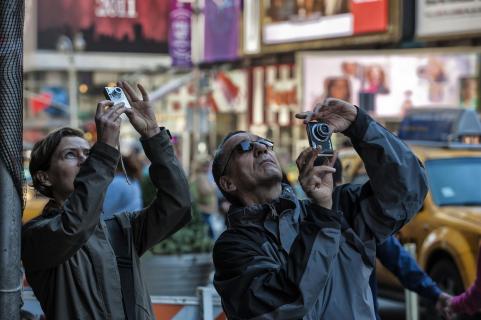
292 259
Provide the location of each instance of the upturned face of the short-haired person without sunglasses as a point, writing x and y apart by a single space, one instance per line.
65 165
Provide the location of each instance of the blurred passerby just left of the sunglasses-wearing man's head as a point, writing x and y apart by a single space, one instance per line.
204 193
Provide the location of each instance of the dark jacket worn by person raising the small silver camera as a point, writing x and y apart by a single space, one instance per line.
68 259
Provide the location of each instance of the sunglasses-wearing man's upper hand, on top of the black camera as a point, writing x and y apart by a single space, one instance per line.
338 114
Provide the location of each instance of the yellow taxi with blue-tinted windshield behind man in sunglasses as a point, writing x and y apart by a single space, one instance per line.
447 230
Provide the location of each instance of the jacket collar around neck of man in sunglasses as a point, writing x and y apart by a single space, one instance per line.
257 213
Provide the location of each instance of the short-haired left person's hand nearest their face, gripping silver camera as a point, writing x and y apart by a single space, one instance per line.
107 121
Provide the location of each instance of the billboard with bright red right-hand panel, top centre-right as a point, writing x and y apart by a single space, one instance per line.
291 25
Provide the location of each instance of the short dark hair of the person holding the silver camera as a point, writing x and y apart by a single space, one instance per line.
42 155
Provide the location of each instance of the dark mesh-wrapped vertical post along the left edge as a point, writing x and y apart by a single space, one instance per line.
11 168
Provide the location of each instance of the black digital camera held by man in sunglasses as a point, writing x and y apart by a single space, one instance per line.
319 134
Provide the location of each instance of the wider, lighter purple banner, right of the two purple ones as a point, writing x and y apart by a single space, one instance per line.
221 40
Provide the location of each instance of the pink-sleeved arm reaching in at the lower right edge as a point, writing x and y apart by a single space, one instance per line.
468 302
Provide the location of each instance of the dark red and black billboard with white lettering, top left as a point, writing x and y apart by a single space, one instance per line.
106 25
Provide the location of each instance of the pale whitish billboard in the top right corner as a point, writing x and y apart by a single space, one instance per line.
438 19
